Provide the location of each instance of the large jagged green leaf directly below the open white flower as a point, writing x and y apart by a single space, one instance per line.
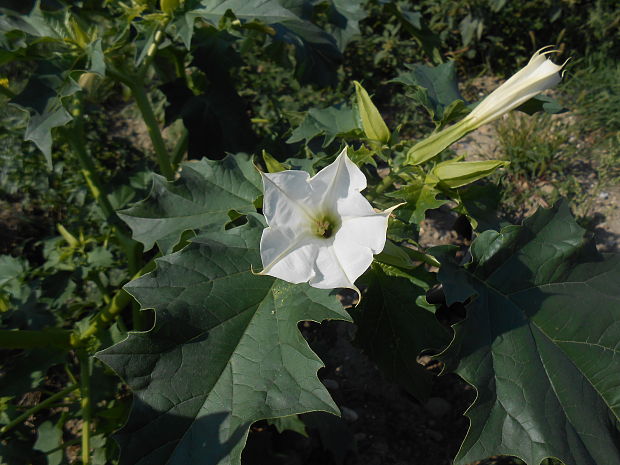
225 352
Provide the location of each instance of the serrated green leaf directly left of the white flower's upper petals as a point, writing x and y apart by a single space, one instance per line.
201 197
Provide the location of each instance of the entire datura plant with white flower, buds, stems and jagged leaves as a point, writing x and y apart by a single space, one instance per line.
232 252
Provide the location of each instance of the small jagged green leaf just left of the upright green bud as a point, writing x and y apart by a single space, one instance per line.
331 122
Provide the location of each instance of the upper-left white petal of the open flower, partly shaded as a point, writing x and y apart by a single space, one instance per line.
287 199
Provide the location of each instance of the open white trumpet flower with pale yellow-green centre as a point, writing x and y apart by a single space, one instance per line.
321 230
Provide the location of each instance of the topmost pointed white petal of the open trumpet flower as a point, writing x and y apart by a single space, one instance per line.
340 180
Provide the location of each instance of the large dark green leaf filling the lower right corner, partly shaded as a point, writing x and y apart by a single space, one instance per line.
539 343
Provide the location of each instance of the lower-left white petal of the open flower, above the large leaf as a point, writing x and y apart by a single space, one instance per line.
290 259
